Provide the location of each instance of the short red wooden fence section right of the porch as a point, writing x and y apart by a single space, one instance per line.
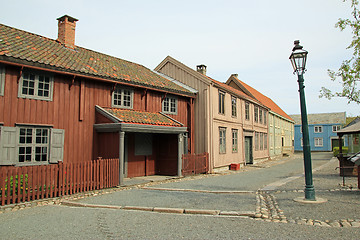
195 163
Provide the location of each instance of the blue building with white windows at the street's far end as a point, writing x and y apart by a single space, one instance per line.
322 131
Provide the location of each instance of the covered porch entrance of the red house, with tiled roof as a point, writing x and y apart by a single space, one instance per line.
145 143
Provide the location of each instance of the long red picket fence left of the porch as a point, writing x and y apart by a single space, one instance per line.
28 183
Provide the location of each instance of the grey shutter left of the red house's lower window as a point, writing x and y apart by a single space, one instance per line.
8 142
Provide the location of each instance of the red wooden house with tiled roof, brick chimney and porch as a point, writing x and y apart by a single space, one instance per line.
62 102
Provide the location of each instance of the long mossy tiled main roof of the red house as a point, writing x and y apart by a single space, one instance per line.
29 49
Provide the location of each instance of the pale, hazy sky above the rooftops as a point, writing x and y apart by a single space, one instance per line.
251 38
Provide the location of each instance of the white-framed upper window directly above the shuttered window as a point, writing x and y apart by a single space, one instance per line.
38 85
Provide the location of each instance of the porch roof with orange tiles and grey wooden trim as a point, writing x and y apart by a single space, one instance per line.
137 121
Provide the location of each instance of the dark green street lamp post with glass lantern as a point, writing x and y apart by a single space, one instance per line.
298 61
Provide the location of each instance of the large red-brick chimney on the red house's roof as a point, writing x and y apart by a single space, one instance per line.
66 31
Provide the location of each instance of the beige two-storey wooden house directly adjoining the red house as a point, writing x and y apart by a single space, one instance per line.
229 124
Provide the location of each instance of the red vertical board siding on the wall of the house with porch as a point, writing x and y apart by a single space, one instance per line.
73 109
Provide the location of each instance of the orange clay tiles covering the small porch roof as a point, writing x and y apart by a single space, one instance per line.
139 117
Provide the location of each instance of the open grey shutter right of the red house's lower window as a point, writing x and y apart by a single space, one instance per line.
56 145
